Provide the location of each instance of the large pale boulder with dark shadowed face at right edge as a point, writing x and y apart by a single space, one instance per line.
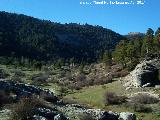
145 74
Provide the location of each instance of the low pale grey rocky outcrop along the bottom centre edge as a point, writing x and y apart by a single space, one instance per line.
73 111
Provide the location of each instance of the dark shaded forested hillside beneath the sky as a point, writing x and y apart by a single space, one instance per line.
27 39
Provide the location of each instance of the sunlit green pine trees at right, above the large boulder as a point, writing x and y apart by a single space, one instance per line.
128 53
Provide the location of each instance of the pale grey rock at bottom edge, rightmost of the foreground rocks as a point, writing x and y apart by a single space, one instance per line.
127 116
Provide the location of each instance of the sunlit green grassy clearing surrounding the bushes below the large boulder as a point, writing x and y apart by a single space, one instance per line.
93 96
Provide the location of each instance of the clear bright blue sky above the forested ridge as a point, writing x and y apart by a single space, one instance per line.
119 18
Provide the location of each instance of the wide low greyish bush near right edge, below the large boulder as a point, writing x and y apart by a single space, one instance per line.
144 98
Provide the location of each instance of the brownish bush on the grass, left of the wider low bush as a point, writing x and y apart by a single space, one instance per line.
112 98
